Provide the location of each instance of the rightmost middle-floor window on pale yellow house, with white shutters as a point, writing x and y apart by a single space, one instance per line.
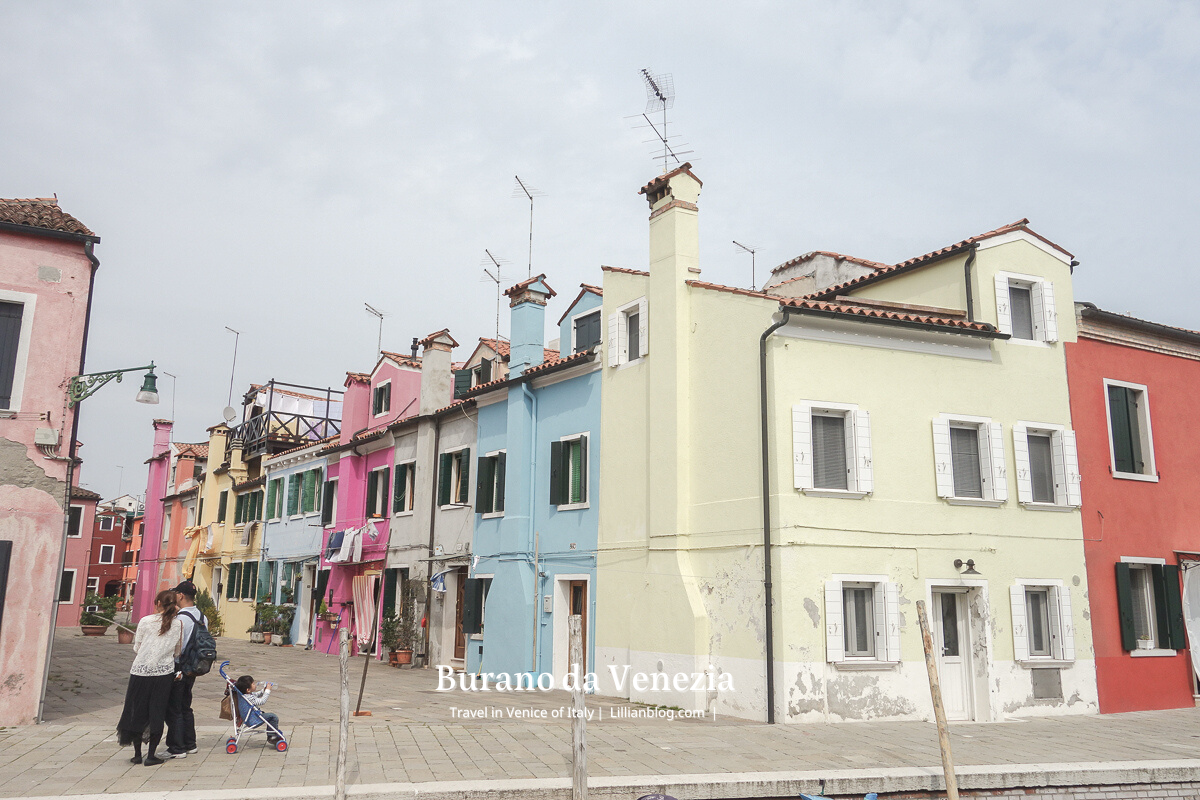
1047 466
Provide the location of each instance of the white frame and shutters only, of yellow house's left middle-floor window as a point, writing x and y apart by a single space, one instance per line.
861 478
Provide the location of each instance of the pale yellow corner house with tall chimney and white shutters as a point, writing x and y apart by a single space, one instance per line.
919 448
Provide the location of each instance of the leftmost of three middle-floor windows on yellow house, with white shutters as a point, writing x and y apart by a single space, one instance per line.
832 449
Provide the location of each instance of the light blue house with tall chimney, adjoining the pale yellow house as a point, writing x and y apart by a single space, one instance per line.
536 501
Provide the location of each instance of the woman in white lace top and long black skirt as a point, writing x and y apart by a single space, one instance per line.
158 645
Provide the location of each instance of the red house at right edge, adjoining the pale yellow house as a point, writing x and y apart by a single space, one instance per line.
1133 395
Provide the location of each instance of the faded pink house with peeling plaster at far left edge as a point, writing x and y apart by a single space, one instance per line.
47 268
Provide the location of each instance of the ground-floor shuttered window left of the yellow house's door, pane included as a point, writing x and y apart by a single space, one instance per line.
862 619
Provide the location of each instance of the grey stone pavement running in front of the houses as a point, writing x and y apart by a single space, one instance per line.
413 736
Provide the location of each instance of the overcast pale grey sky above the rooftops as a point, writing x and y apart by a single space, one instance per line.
273 169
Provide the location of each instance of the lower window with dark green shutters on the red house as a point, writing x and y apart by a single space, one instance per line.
1150 606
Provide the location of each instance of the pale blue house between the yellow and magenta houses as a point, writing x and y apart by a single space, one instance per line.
295 514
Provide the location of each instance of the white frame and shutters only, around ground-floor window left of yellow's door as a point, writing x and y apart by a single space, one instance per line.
887 622
